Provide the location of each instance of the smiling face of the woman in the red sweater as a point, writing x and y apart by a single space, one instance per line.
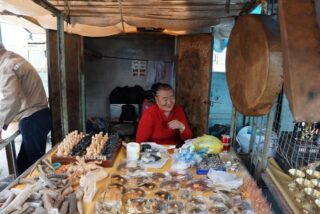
165 100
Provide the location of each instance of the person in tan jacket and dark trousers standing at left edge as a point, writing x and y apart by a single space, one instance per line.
23 99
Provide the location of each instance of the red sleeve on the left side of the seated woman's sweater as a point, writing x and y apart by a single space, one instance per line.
144 131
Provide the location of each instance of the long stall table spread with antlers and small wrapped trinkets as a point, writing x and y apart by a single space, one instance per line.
135 187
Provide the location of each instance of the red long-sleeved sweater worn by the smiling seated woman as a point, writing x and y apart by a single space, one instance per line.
153 126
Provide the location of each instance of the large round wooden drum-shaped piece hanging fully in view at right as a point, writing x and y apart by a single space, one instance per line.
254 64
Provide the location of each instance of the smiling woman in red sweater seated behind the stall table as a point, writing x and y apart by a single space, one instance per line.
164 122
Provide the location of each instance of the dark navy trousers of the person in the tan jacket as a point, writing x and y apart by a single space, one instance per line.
34 130
